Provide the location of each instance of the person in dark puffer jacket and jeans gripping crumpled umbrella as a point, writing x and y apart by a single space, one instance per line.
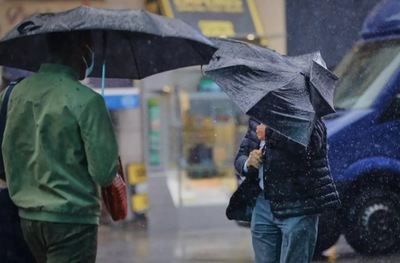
286 186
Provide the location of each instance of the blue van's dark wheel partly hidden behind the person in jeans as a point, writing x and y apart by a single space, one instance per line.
328 232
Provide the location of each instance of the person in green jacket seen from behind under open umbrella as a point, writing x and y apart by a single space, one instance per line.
59 147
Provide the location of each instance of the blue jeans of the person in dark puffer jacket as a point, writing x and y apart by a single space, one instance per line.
289 240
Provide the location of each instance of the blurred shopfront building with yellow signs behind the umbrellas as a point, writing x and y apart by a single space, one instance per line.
178 133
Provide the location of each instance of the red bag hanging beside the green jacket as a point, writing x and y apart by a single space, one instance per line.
115 197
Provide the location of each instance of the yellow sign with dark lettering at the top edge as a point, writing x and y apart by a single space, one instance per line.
231 6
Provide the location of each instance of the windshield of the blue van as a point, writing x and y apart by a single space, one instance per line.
364 72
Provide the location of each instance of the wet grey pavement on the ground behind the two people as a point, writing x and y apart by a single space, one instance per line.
133 243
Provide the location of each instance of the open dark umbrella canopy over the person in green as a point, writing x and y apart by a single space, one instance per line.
133 43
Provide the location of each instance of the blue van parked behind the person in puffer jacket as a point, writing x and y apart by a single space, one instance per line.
364 139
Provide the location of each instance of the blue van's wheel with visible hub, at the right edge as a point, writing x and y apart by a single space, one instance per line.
373 222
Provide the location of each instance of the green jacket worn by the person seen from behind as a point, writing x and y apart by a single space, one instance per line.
59 147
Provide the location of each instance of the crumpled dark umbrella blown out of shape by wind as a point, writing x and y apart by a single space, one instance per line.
286 93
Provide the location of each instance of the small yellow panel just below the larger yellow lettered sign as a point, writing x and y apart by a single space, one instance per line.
217 28
